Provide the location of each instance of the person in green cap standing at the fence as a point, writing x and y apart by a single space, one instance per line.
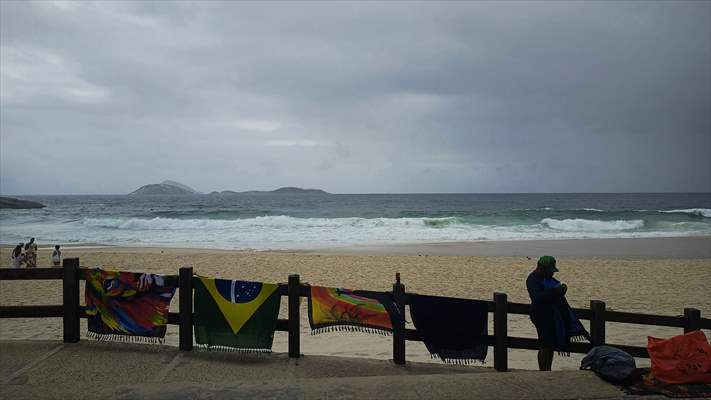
543 300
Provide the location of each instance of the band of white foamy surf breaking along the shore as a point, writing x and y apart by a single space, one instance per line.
286 232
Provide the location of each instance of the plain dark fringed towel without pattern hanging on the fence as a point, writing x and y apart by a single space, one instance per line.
453 329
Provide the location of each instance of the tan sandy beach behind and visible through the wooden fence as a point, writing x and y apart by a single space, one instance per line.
662 283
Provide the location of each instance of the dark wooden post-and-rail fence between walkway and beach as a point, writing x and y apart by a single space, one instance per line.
71 274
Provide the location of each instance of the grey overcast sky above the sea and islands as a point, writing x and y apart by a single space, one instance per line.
356 97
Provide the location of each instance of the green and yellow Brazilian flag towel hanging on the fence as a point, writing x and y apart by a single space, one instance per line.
235 315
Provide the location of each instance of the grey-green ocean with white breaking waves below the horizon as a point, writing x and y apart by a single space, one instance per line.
306 221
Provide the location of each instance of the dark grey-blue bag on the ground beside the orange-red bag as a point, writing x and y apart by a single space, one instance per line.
610 364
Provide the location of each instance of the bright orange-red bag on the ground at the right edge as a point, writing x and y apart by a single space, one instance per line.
681 359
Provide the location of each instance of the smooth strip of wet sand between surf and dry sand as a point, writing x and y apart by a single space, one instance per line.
686 247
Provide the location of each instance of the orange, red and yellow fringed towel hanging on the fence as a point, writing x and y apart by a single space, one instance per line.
333 309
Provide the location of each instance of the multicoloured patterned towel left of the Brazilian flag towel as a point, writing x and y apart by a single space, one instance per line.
127 306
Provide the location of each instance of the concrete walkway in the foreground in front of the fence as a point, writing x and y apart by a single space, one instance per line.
52 370
